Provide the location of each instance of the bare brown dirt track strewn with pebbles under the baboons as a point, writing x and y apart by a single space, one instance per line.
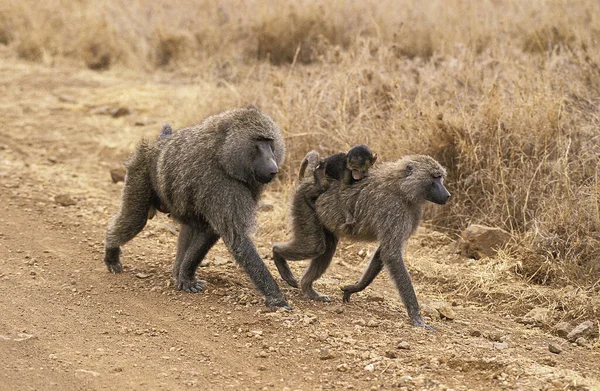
67 324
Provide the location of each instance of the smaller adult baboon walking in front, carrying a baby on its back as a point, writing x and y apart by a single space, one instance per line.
387 207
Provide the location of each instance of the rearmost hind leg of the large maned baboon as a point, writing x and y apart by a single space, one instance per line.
129 220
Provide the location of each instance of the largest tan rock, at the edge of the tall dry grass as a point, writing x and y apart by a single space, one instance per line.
478 241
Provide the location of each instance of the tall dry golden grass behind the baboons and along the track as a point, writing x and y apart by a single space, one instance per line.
503 93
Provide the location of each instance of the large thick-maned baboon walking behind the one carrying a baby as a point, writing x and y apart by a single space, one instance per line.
210 177
